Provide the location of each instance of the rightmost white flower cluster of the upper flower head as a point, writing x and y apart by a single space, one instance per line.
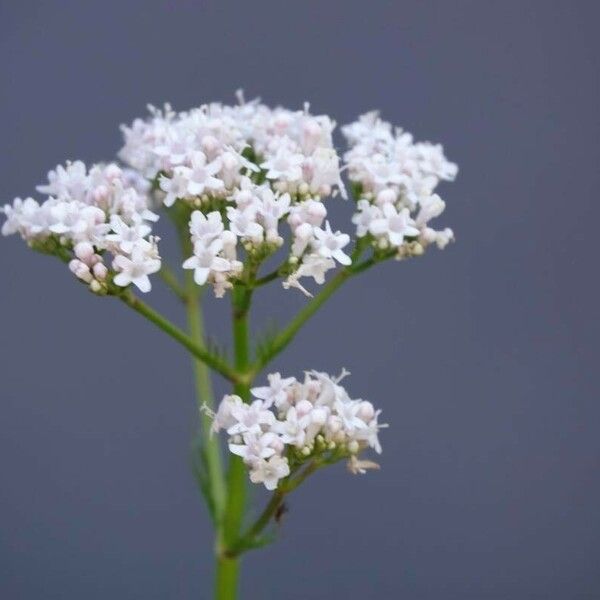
396 179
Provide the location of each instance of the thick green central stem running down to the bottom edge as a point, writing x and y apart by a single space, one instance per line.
228 566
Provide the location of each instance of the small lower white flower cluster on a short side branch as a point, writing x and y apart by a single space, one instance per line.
291 422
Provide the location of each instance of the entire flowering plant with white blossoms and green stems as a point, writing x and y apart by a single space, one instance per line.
246 187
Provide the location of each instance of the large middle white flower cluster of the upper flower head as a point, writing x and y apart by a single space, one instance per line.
246 168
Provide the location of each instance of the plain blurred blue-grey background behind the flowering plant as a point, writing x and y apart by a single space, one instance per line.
484 357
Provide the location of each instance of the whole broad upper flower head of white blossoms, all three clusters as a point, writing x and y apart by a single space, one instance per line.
247 178
